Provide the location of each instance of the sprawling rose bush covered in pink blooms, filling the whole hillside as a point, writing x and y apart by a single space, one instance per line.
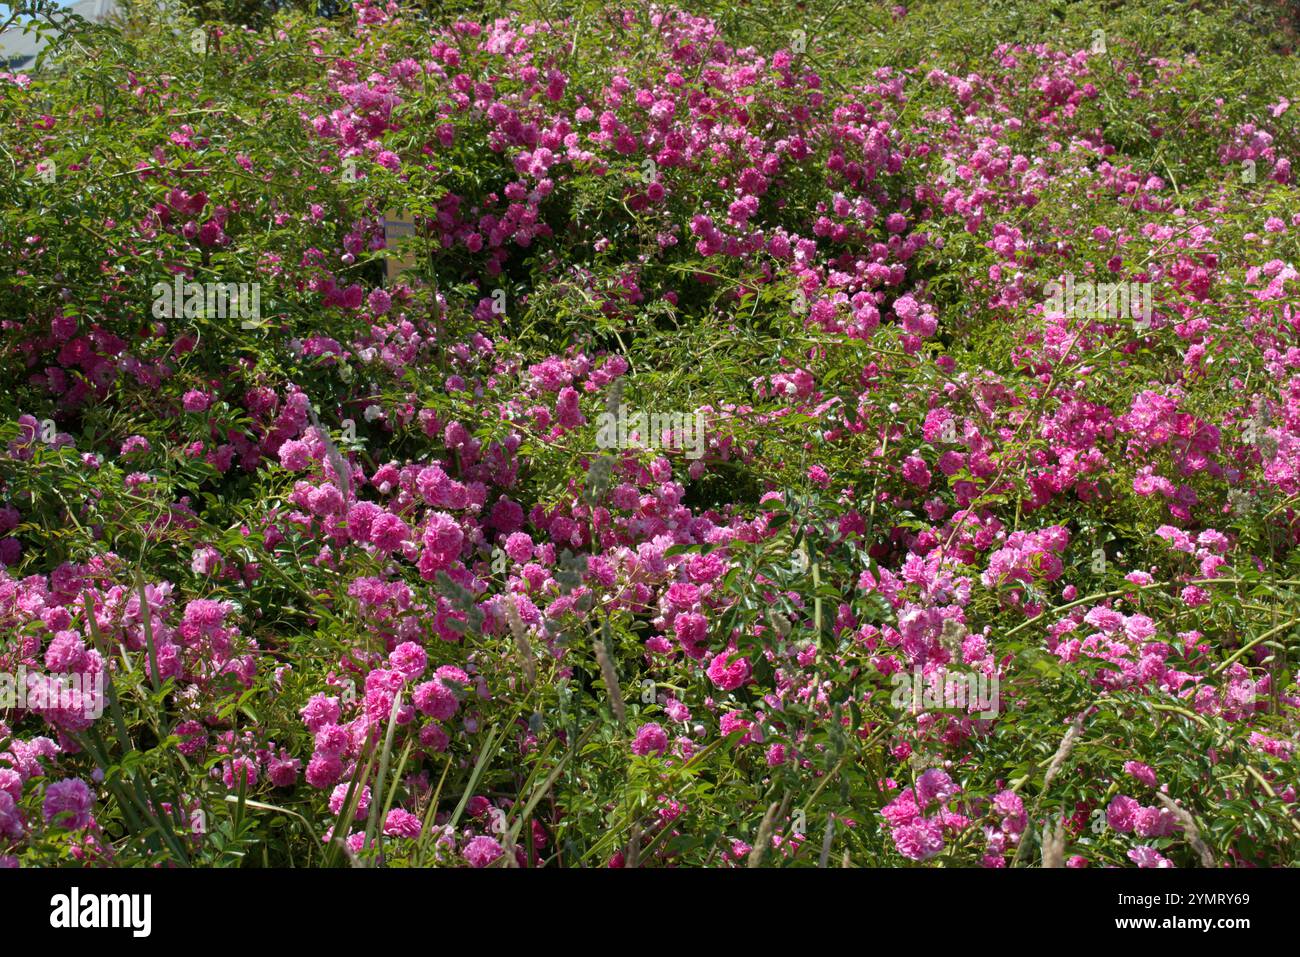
361 582
